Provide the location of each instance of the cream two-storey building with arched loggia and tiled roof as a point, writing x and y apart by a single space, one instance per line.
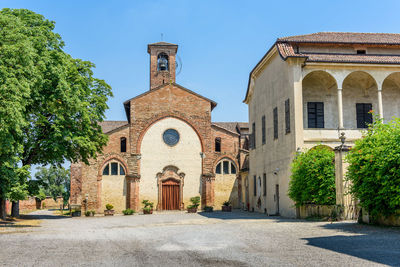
307 90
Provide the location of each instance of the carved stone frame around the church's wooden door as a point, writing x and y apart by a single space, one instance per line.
170 172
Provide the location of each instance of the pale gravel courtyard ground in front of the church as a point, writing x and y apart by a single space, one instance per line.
205 239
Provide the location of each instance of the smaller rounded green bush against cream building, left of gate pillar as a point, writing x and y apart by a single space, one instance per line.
313 177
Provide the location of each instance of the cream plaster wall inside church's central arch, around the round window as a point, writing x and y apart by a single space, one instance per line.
156 155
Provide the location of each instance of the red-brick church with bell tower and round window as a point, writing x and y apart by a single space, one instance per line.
167 150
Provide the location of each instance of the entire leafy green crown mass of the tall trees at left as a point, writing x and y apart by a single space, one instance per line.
50 104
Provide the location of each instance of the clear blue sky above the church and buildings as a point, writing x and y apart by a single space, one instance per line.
219 41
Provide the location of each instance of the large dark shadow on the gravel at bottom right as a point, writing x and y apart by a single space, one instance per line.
373 243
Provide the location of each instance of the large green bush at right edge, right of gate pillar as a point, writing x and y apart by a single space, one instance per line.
374 168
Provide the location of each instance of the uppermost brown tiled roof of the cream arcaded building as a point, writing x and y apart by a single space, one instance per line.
345 37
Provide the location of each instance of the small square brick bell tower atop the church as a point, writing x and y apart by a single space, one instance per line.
162 63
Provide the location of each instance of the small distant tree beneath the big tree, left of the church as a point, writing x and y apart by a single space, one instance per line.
54 181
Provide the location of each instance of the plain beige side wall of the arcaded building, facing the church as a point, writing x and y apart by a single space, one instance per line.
272 87
